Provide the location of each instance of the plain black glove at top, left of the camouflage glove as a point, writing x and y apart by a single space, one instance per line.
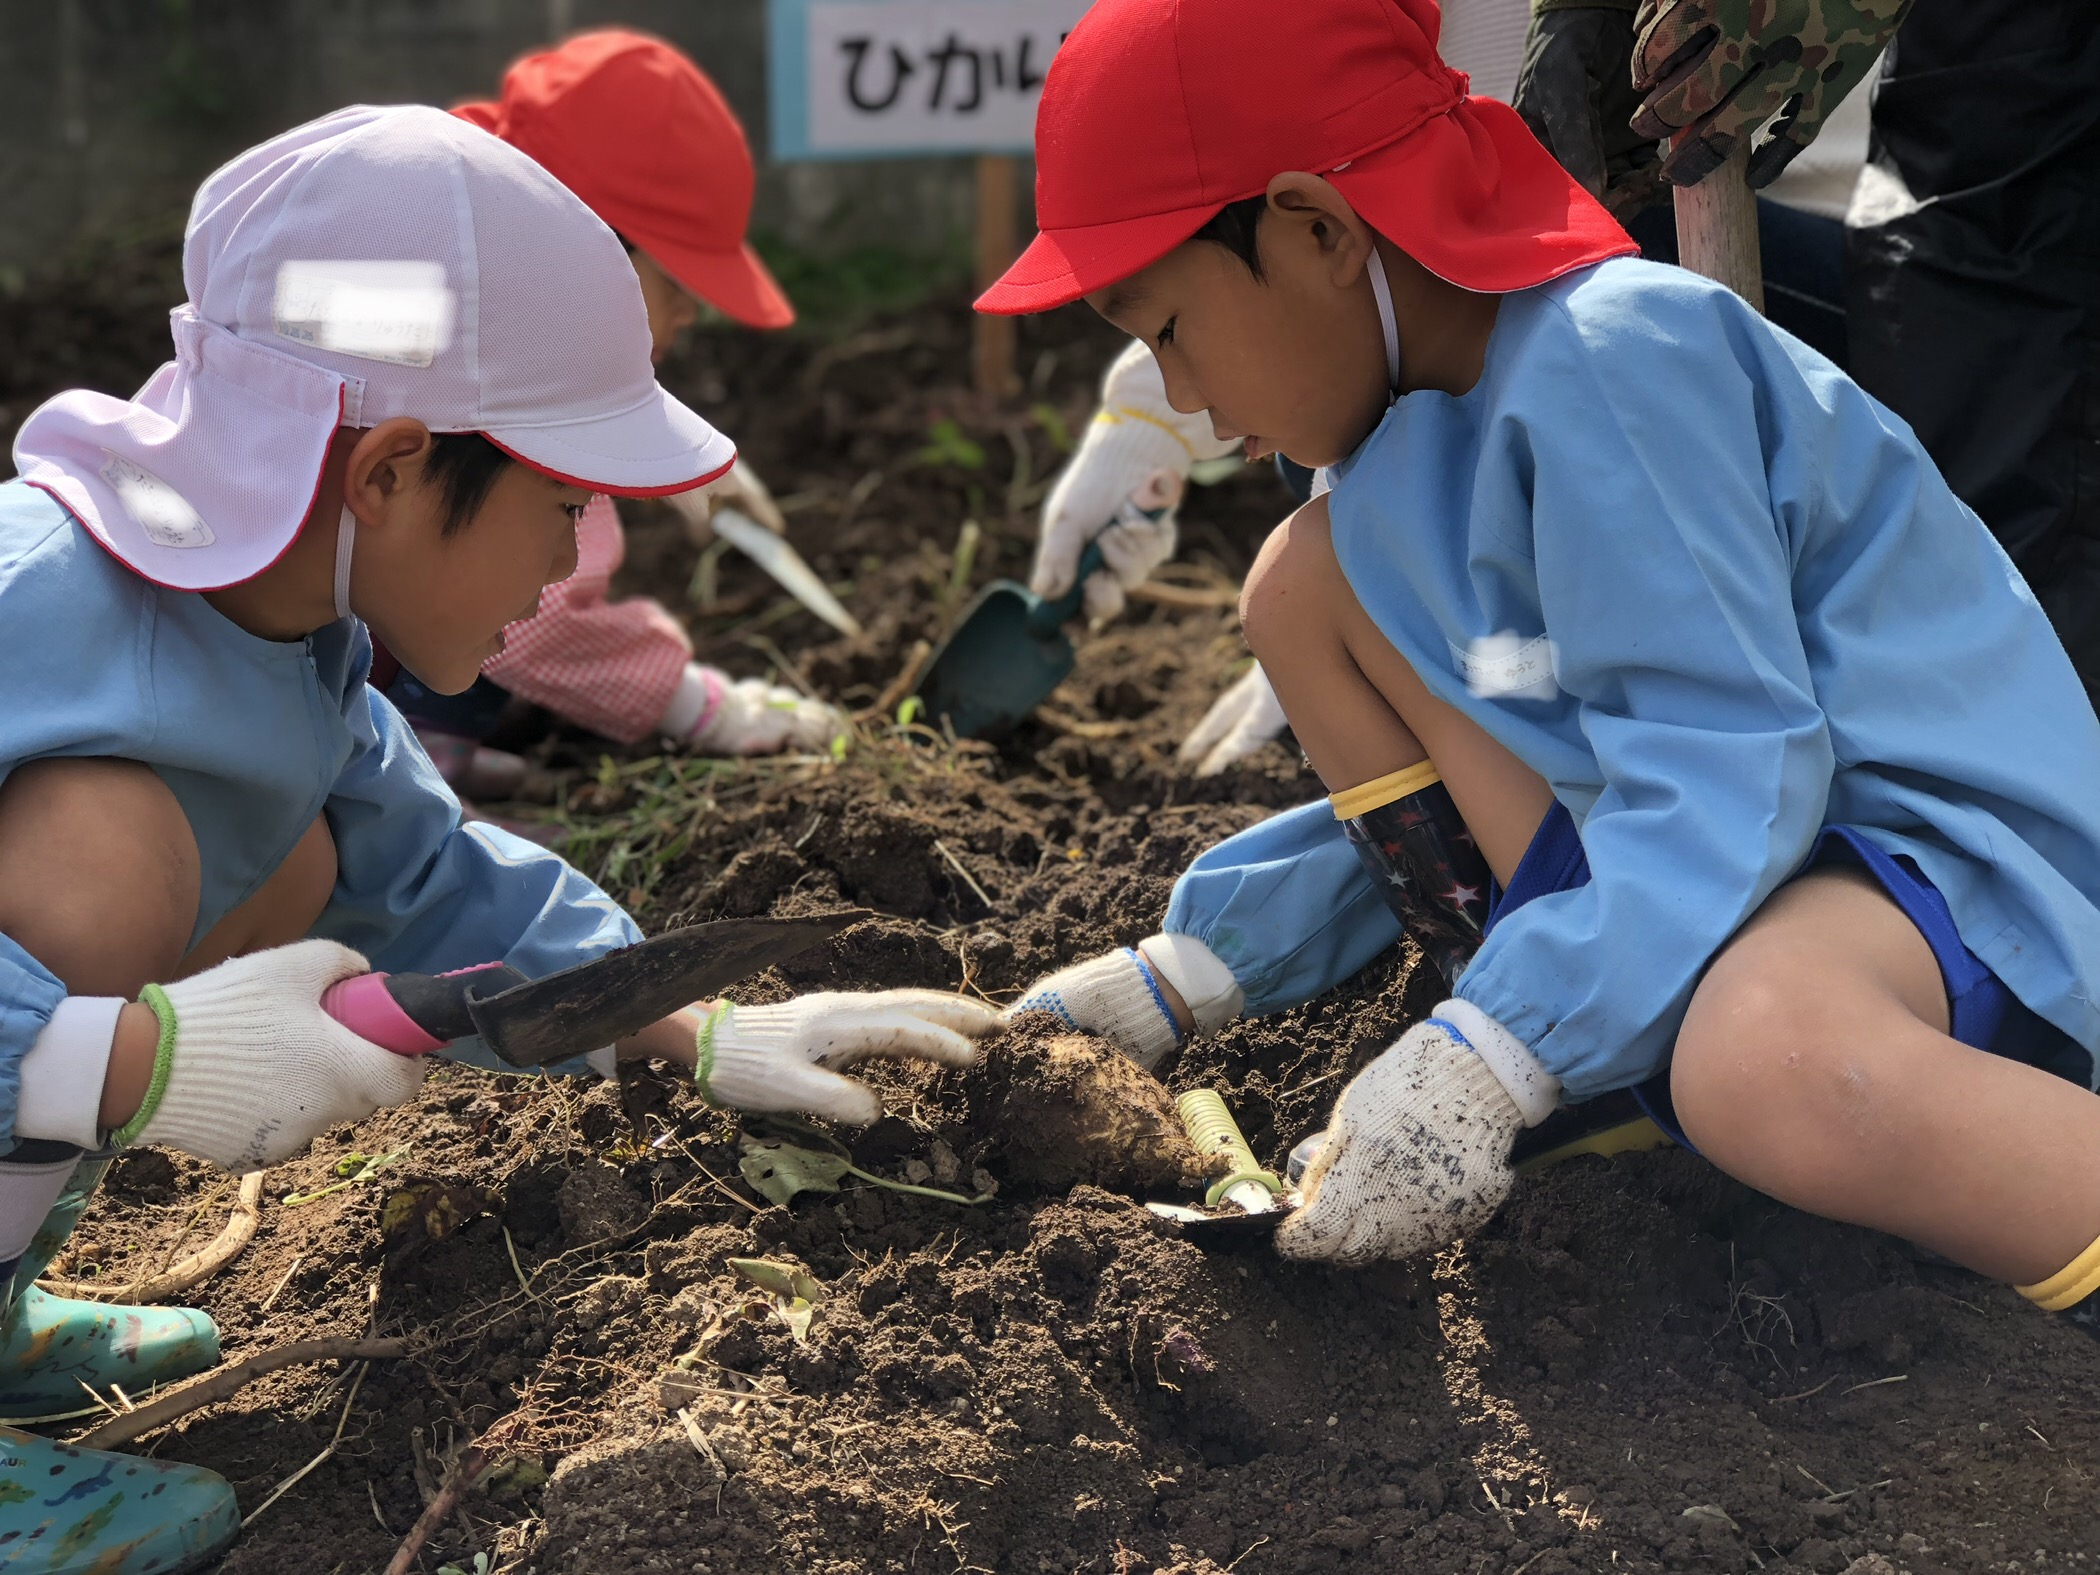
1576 91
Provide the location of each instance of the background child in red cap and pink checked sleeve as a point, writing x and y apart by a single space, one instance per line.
648 142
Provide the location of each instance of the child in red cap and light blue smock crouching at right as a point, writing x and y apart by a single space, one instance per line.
1666 694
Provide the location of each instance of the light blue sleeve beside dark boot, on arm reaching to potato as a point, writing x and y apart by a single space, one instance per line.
1286 906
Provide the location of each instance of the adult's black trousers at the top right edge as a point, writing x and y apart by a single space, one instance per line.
1975 291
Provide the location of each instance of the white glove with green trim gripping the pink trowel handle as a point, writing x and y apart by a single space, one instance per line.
251 1070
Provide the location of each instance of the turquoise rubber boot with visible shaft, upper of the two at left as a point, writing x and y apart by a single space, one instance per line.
51 1345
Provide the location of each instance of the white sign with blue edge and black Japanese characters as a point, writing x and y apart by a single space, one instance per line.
858 79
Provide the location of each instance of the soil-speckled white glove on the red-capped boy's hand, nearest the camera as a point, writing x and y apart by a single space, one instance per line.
1419 1150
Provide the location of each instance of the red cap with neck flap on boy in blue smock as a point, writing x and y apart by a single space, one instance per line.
1156 114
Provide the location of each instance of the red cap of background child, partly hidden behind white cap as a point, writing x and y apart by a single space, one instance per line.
648 142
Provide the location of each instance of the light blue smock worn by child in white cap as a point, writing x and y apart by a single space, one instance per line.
255 740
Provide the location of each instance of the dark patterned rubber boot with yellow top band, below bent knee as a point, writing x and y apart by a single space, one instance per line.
1412 839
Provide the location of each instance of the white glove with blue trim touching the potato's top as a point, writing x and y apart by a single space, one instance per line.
1118 999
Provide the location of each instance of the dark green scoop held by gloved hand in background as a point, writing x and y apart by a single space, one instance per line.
1005 656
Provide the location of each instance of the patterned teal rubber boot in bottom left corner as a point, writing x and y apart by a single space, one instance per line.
87 1513
